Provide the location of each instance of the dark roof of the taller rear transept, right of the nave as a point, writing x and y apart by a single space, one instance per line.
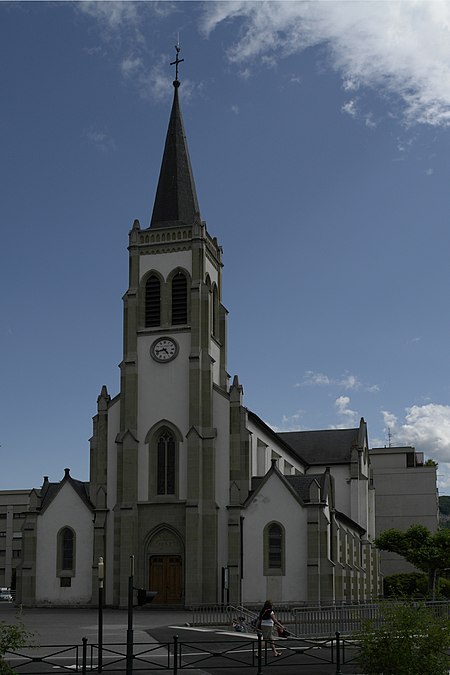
330 446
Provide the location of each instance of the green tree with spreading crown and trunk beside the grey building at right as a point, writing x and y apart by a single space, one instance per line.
428 551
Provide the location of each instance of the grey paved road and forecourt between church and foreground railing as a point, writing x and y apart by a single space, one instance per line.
152 629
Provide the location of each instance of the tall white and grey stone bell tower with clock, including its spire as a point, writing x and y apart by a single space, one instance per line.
167 445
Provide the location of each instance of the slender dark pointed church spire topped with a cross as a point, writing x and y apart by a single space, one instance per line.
176 199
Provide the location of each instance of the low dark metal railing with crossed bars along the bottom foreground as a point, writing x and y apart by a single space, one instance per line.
243 653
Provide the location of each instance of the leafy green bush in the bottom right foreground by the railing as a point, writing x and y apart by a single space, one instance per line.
409 641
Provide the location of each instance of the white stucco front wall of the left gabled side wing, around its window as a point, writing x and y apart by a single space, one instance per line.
66 510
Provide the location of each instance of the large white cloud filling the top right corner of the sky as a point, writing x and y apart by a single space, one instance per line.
400 48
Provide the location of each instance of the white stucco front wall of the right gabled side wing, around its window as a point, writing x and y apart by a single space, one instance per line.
273 502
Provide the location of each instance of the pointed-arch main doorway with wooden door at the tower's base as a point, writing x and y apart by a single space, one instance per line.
165 567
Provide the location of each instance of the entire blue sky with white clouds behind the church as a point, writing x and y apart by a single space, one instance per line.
319 135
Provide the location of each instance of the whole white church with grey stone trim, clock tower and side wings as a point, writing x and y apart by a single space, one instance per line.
214 506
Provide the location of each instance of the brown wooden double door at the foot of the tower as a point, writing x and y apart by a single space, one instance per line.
166 578
